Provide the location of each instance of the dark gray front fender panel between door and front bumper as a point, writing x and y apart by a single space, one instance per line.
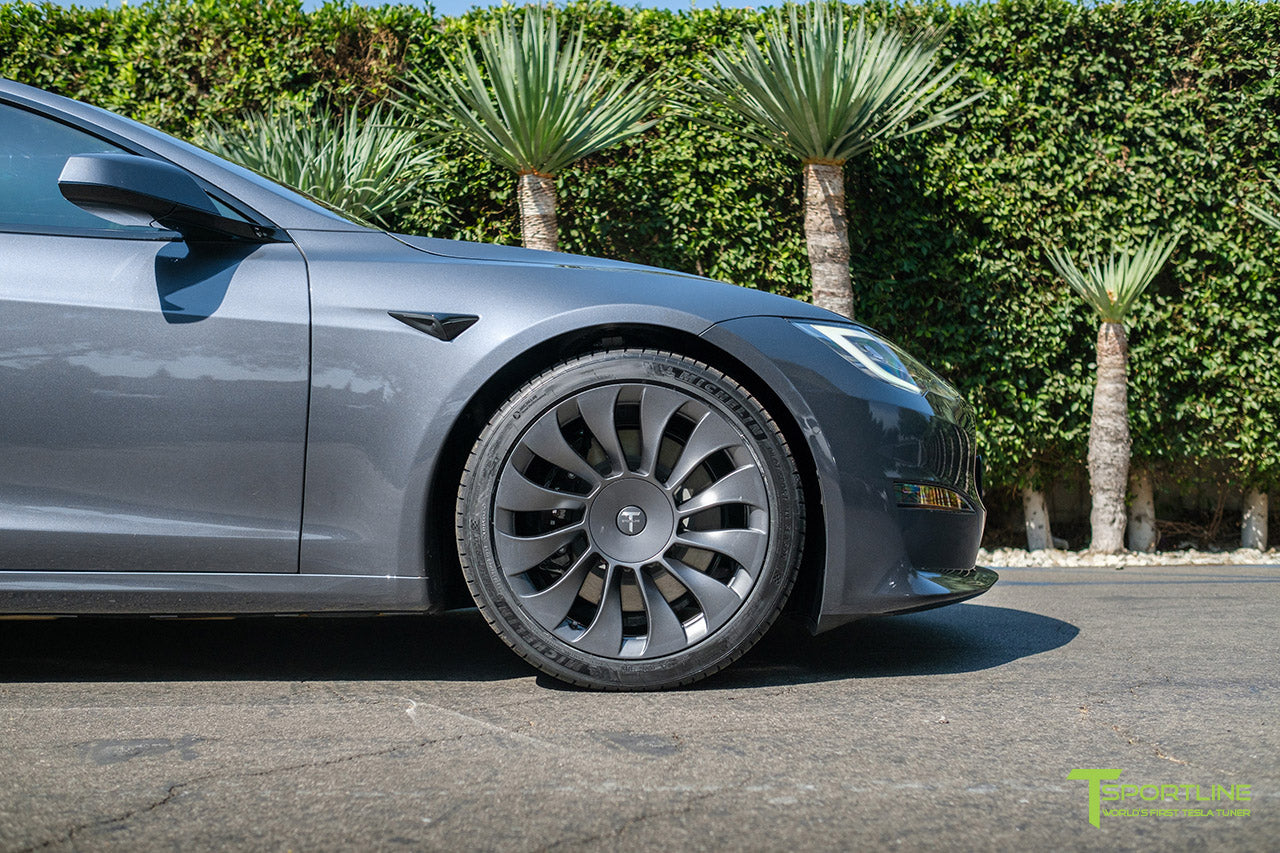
385 396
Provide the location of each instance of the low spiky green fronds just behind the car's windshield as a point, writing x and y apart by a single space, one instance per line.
364 166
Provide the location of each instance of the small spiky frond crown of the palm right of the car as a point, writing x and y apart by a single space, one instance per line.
1113 285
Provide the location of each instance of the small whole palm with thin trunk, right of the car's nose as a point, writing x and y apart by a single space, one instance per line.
1112 288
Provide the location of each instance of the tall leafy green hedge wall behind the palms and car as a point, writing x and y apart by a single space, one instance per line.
1099 121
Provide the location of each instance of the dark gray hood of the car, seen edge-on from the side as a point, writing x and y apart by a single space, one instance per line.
717 302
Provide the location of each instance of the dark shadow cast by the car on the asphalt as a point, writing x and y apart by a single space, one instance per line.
460 647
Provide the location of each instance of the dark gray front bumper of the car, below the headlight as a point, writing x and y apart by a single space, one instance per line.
866 437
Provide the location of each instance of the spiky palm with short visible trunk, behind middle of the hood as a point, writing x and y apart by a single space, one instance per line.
533 106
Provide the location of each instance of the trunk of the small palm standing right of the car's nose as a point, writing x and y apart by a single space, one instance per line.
1109 440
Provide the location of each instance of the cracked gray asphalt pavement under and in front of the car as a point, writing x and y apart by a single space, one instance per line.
952 729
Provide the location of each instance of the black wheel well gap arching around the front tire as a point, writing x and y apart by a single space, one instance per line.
446 586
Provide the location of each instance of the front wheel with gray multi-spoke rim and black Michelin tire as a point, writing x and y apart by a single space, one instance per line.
630 519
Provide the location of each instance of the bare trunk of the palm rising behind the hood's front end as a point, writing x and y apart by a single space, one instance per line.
826 229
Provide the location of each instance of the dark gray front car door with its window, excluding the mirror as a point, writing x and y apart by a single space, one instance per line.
153 391
